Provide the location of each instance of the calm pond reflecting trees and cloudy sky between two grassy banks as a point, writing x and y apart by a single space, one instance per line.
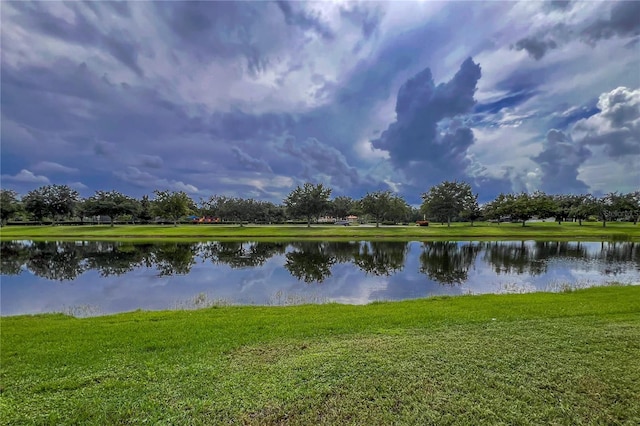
99 277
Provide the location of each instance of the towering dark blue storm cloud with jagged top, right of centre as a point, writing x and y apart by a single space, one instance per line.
420 106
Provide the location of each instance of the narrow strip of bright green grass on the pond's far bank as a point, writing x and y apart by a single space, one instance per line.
534 230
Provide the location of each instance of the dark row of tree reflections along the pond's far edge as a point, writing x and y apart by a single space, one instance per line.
443 262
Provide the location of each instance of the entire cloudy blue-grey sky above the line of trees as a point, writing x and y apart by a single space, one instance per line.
251 99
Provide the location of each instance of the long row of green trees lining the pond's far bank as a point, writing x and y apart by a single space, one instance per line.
447 202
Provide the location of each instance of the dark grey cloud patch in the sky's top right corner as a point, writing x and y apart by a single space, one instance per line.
623 21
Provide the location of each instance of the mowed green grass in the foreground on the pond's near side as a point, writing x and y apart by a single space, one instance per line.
564 358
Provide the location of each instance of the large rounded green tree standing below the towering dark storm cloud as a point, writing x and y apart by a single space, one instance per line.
447 200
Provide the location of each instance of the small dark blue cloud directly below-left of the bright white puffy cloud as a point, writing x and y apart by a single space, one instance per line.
559 162
